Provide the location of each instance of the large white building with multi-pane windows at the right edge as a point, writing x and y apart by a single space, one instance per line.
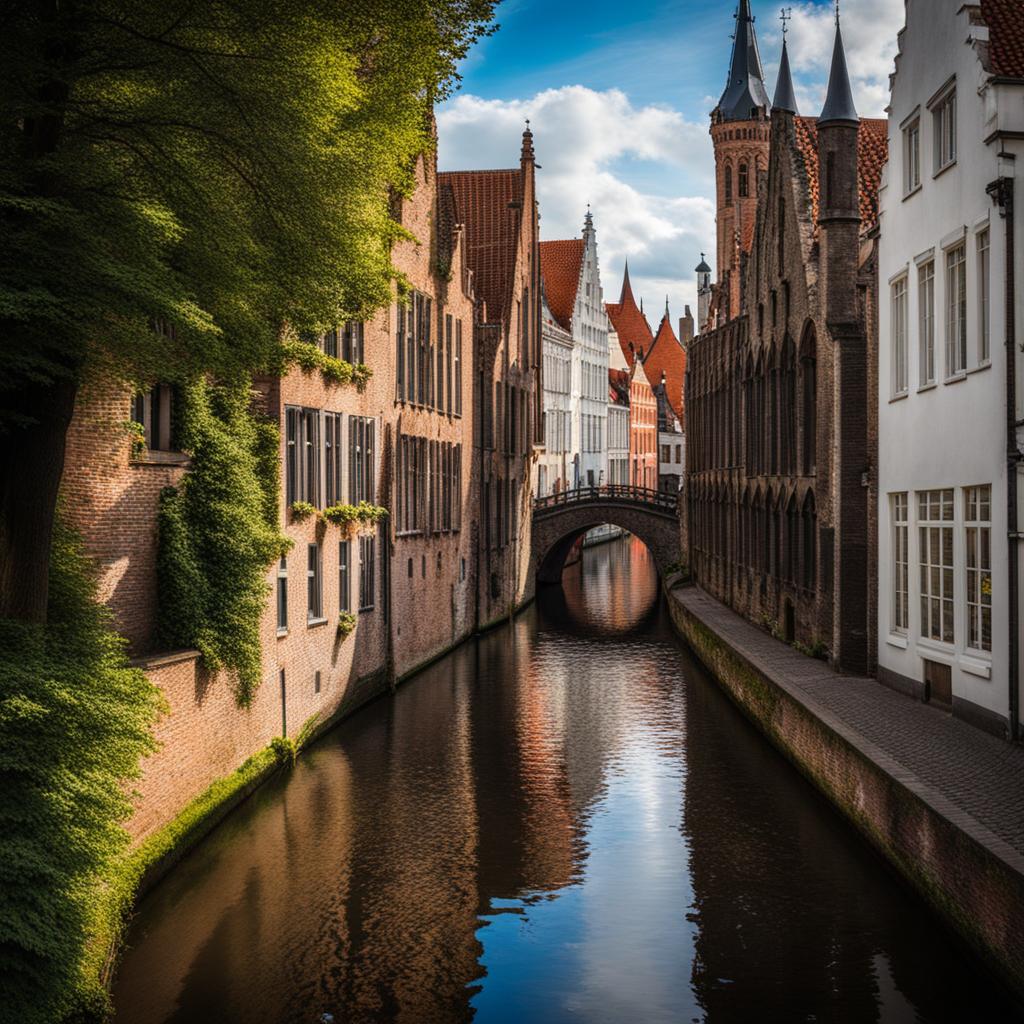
950 428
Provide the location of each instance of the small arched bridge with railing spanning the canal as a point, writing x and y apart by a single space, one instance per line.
560 521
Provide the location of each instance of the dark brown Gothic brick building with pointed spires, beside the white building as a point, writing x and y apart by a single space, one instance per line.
781 394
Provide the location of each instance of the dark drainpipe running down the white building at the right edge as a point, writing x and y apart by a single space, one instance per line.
1002 192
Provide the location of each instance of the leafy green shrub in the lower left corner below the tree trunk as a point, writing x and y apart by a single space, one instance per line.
75 720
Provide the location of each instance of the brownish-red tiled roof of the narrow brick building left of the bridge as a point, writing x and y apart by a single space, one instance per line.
490 204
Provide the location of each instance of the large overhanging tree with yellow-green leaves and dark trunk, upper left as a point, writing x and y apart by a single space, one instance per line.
216 169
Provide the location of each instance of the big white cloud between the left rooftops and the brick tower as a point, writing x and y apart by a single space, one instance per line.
586 142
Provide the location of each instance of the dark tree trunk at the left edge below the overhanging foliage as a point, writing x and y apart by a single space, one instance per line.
31 466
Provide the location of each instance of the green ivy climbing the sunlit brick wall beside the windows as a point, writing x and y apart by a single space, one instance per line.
218 533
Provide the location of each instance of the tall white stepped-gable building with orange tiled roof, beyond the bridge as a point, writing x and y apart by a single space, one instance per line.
573 290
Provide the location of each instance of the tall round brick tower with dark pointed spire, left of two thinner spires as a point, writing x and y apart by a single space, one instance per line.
740 133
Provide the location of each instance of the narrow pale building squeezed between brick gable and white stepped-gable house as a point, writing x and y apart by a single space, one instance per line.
556 466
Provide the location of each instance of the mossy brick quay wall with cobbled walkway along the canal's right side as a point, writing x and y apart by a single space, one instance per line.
942 801
